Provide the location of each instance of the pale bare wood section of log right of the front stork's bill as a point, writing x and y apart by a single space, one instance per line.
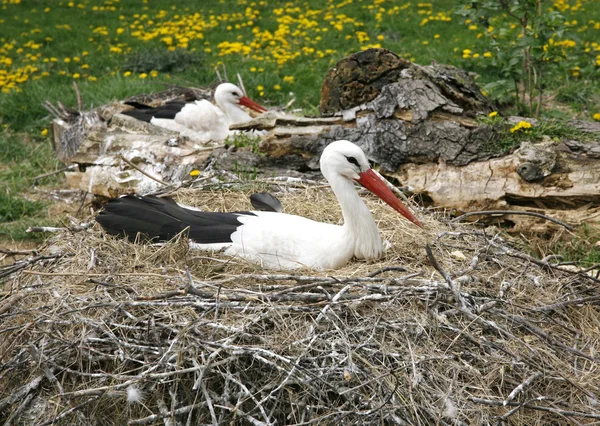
567 185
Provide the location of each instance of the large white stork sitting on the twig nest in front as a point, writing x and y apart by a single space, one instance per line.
273 239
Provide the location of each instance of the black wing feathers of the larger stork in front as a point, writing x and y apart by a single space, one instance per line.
161 219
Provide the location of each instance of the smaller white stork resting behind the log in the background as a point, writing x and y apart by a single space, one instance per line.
201 120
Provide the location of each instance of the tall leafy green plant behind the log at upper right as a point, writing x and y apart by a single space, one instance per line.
524 48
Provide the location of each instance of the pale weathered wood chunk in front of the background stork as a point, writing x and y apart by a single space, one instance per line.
105 158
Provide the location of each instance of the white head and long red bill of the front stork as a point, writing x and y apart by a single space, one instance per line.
345 159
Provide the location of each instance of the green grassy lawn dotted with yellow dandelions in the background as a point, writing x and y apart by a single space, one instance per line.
114 49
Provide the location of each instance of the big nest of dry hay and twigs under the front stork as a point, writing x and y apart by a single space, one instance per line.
95 330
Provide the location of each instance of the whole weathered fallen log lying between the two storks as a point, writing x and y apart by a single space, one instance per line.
418 123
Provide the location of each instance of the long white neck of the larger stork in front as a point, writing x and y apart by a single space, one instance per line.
359 226
